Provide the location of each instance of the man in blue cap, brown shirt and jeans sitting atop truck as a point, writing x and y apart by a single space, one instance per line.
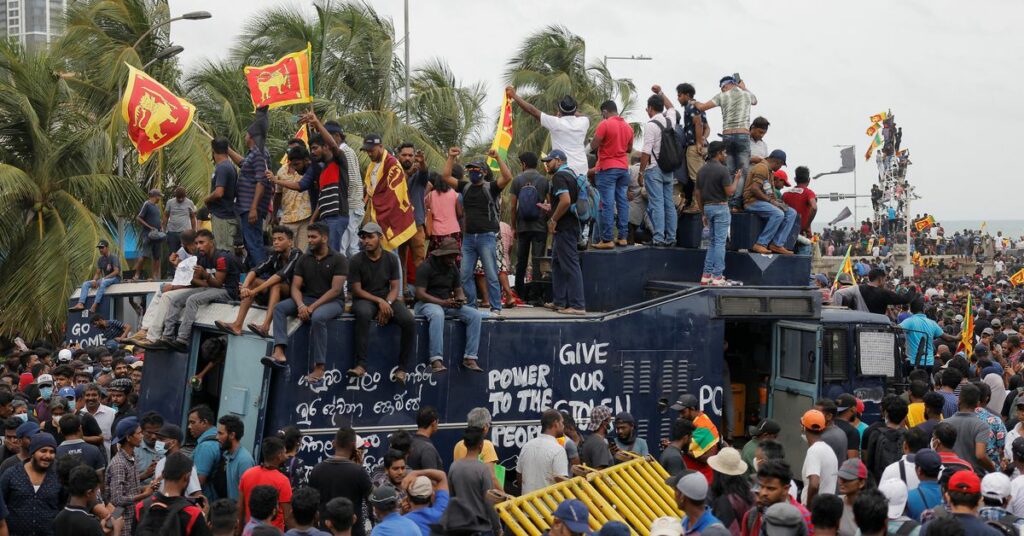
759 198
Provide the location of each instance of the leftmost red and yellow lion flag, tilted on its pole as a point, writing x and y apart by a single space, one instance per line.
155 115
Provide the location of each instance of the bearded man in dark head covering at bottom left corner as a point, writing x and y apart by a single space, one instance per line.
32 492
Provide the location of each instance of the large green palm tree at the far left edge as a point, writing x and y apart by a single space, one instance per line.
56 190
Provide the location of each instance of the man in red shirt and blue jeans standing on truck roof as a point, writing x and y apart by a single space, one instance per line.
614 143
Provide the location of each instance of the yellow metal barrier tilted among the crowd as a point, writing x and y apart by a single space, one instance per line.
633 492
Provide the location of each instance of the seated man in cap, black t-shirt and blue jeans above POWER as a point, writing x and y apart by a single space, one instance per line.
439 293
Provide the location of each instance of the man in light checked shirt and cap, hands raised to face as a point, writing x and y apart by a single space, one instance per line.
736 102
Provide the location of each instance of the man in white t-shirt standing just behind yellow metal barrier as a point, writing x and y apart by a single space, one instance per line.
543 461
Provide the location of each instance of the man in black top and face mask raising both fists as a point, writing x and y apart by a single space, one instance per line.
480 202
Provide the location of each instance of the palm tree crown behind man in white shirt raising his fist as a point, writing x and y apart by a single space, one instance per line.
550 65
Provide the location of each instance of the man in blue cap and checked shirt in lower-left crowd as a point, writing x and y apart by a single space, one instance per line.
123 484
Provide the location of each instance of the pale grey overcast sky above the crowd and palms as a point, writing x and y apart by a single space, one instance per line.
819 69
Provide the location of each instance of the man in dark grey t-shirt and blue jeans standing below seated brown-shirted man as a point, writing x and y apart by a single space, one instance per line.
714 189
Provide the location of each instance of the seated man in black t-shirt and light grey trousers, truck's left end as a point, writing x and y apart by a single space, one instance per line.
218 275
